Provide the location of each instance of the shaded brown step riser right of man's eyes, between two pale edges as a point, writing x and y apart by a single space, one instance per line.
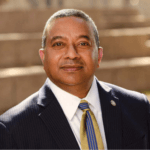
125 46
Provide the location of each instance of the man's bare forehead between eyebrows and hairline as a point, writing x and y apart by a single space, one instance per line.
69 26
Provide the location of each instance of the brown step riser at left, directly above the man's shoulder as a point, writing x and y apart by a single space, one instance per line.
15 89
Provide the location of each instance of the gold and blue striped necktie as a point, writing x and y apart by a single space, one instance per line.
89 131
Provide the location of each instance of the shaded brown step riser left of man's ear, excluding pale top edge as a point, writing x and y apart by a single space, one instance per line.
19 53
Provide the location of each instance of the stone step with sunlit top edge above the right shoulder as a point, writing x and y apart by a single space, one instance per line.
130 73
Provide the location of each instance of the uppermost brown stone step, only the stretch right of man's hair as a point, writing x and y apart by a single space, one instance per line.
109 18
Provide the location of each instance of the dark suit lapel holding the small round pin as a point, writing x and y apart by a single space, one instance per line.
111 117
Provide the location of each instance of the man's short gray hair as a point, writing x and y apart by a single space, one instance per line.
68 13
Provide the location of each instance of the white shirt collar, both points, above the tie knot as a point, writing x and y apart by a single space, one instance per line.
69 103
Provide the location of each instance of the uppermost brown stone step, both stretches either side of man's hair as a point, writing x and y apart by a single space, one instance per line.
34 20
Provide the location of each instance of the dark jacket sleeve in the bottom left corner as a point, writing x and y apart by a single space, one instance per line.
6 140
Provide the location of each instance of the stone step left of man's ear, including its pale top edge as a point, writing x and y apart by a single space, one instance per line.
19 49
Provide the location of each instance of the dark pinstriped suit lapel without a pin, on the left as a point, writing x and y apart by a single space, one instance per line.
55 120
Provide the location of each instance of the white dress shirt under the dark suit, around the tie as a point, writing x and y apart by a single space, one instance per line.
69 104
